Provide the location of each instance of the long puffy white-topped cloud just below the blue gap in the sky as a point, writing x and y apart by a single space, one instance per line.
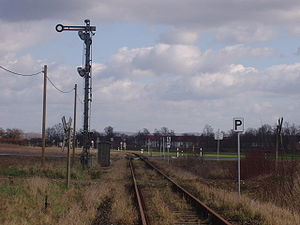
176 60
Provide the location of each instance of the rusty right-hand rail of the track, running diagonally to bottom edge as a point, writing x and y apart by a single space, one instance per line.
215 218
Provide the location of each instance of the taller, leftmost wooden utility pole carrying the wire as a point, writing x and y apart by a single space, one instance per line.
44 115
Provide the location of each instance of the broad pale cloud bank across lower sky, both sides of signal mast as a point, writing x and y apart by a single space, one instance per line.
155 86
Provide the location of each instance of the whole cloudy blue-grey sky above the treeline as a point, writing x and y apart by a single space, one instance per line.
172 63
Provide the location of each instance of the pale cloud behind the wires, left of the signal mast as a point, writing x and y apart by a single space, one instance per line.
21 97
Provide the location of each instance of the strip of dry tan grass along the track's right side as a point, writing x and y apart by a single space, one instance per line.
240 210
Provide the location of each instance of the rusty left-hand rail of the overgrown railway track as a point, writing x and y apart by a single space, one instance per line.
141 205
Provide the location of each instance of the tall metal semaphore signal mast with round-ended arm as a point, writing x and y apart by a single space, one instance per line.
85 33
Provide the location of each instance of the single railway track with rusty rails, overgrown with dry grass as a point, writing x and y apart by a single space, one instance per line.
183 207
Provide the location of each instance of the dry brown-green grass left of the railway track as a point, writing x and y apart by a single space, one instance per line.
24 187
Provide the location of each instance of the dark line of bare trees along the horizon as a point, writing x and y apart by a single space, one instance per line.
263 137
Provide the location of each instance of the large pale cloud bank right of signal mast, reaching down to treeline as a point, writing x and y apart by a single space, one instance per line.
136 85
